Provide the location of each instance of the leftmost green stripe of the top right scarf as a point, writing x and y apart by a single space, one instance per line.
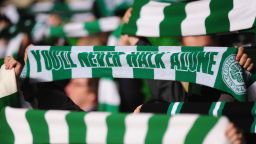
131 27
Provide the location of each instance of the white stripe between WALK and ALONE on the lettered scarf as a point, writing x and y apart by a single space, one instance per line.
167 73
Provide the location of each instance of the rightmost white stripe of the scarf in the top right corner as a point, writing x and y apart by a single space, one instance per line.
242 16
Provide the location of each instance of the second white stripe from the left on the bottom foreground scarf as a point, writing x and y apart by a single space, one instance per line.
58 127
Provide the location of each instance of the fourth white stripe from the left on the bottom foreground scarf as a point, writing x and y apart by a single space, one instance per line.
136 128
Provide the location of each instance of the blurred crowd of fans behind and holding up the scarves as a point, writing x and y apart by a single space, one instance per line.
23 22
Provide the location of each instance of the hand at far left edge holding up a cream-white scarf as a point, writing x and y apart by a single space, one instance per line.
10 63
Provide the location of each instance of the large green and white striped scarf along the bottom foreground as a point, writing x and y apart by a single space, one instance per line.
34 126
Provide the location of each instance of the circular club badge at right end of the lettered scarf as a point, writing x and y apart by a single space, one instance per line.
232 75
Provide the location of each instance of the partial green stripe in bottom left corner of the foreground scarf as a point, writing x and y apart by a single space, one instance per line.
6 134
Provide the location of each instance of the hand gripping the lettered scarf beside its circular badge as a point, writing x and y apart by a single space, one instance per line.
244 60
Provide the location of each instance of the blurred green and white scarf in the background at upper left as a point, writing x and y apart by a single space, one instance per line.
85 29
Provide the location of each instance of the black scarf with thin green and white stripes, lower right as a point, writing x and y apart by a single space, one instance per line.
242 114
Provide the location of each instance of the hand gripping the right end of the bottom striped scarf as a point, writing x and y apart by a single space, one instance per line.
234 135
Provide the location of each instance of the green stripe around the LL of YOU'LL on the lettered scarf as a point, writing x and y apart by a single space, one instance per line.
61 73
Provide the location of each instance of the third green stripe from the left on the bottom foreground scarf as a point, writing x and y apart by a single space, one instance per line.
77 127
